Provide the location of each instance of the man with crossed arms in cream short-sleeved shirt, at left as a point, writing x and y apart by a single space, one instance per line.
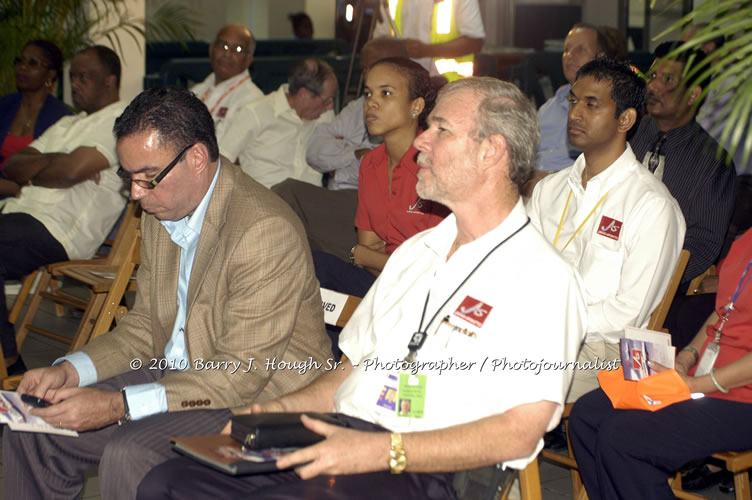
71 195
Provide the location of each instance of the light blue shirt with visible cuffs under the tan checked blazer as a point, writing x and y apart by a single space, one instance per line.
149 399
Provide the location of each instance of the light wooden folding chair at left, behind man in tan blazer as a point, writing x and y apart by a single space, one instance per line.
106 280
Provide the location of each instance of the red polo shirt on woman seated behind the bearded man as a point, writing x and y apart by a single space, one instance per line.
394 216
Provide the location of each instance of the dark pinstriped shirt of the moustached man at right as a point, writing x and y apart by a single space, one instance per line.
703 184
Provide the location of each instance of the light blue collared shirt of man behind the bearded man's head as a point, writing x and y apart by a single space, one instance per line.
554 151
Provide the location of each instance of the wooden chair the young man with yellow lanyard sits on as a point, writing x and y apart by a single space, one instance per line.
657 318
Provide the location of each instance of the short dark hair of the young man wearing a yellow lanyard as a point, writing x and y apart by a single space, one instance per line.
627 88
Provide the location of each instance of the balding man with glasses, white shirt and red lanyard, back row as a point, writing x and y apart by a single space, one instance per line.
229 87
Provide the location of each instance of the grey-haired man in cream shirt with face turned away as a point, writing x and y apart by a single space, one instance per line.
275 130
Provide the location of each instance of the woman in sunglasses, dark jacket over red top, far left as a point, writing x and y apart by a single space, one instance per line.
26 114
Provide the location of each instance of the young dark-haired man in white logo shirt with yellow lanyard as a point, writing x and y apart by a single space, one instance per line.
608 215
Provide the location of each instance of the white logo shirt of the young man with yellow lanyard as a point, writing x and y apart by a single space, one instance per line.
626 251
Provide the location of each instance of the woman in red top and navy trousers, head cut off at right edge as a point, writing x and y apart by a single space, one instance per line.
631 453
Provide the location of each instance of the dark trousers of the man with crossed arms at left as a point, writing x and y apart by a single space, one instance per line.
25 245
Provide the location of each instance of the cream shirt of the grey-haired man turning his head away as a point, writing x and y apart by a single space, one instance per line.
274 140
